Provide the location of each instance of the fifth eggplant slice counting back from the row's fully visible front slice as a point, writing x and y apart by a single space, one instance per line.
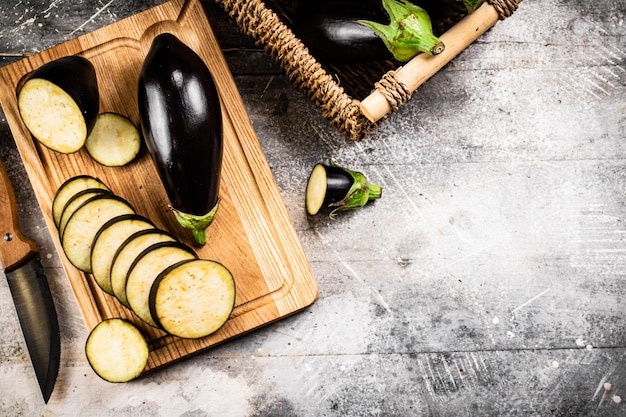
82 227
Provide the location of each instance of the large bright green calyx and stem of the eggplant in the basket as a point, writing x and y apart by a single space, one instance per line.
409 31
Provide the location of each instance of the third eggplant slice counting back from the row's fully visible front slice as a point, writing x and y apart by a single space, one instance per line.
126 255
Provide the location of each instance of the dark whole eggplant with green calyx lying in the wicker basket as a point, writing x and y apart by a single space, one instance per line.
350 31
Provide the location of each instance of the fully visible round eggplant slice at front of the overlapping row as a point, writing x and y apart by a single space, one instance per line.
192 299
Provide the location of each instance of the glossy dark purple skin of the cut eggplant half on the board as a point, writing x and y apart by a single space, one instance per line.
77 77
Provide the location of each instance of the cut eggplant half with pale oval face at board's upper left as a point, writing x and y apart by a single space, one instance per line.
59 103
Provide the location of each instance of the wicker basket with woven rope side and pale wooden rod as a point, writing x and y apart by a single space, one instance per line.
355 98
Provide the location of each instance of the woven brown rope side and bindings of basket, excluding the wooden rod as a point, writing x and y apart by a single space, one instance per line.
335 90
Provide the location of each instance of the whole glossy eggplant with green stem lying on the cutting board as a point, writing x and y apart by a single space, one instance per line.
181 121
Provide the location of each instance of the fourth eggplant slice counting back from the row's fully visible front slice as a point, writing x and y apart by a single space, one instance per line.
108 239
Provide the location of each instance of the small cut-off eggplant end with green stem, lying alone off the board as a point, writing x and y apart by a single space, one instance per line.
332 188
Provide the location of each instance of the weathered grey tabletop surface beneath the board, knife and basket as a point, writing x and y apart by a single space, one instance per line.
488 281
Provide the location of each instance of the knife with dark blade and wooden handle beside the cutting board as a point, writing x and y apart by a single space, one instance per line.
30 291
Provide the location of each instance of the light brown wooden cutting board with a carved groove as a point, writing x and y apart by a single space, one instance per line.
252 235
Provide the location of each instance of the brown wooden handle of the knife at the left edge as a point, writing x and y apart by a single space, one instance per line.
15 248
